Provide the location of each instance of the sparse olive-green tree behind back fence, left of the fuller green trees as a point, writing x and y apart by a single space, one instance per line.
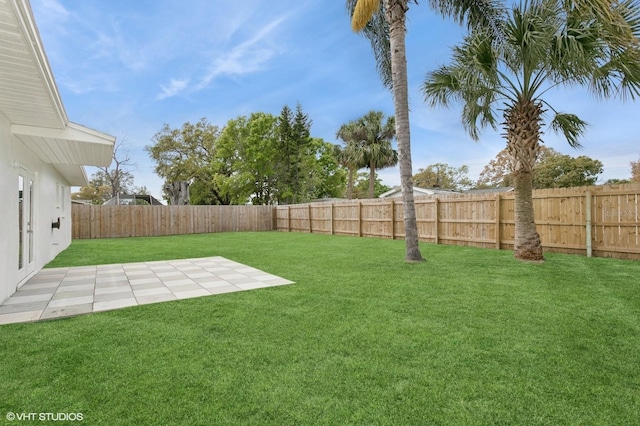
184 155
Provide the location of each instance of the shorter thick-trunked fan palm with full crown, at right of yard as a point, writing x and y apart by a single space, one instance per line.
542 44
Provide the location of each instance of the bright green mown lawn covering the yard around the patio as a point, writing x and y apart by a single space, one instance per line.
469 337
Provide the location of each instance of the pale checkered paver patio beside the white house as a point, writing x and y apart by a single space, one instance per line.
63 292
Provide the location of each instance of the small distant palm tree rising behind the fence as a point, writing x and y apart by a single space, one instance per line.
370 143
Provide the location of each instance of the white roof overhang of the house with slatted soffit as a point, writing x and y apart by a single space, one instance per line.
29 98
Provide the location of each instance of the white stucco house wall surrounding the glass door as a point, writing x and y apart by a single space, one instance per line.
51 200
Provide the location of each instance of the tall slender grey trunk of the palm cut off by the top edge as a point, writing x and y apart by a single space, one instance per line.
396 16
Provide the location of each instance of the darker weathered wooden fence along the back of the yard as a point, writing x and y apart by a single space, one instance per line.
89 221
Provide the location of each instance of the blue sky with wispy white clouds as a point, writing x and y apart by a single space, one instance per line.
127 67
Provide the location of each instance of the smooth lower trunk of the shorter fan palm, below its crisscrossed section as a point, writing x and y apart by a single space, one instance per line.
527 240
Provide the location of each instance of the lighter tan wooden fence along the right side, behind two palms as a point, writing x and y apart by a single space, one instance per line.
600 221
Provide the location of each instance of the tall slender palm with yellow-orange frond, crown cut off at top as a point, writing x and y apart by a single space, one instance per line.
384 25
